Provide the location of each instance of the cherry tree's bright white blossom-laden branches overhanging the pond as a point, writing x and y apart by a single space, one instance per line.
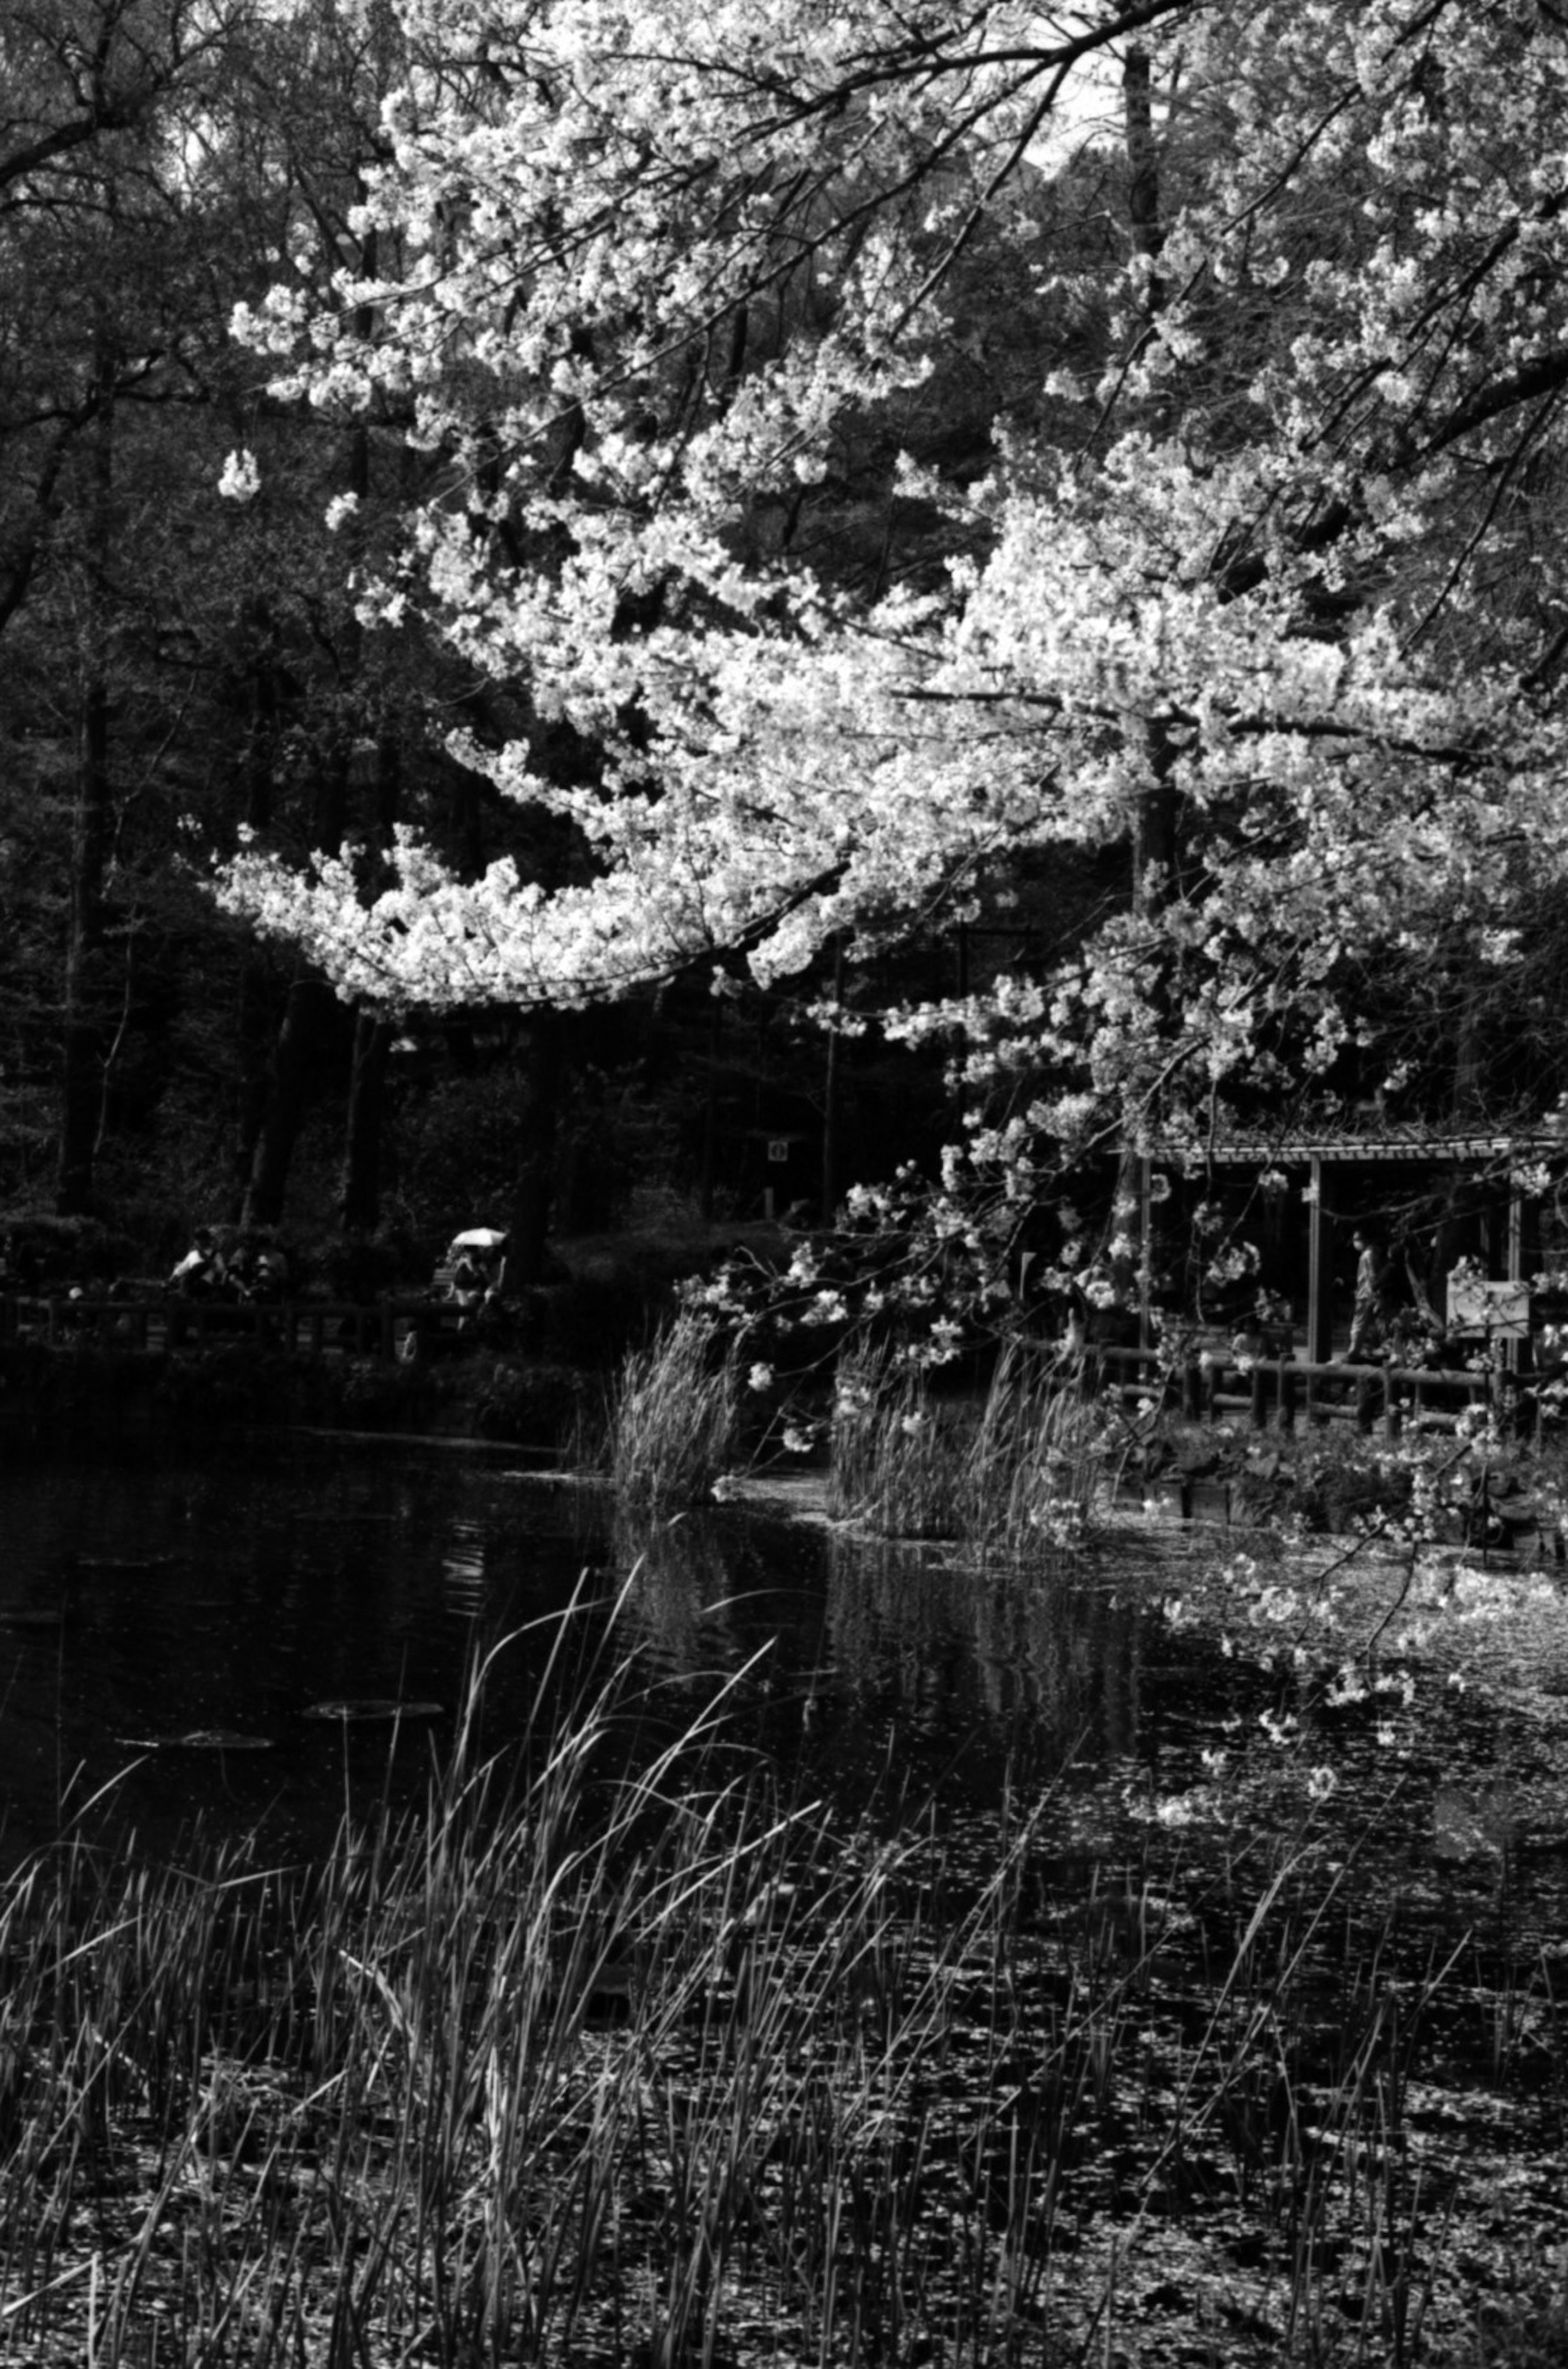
1257 586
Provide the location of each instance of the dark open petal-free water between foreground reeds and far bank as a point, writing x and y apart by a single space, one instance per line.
148 1598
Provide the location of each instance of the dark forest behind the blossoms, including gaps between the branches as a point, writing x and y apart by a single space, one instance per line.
188 657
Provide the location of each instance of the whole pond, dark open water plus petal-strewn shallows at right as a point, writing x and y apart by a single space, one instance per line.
1228 1892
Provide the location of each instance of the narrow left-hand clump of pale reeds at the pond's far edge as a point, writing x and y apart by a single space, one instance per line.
674 1418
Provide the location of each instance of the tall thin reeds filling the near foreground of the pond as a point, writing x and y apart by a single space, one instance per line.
617 2053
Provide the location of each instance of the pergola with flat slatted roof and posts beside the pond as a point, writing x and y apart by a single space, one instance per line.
1325 1174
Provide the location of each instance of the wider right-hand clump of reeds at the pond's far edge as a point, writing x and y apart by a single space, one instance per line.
1013 1477
